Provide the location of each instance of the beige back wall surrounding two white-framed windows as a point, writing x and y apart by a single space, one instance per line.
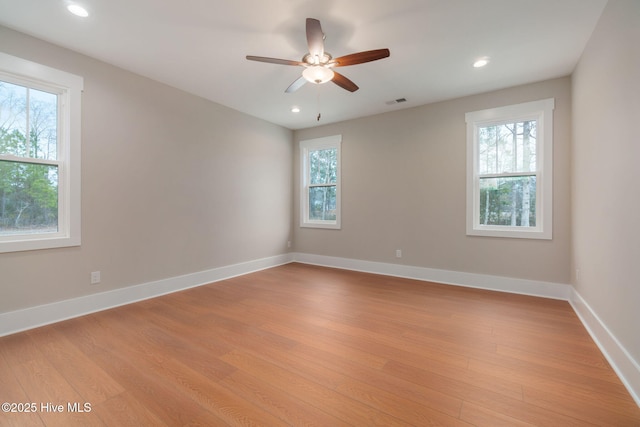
404 188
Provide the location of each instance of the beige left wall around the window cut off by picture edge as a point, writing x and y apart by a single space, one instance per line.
171 184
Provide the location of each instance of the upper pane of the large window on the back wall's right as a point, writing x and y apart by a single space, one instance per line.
509 147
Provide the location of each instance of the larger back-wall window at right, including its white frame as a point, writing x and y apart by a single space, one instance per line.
509 171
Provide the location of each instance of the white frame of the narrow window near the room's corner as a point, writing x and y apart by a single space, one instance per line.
307 146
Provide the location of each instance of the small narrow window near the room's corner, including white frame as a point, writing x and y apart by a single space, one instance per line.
320 186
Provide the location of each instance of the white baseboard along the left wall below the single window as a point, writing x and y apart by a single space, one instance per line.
33 317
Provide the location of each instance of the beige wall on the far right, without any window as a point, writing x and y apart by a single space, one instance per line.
606 172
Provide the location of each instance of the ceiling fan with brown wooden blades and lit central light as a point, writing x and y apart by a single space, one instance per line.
318 64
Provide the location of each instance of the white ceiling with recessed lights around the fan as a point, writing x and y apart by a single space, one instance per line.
200 46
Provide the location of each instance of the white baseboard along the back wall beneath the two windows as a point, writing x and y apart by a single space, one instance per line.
470 280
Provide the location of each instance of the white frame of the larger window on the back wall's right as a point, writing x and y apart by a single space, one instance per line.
542 112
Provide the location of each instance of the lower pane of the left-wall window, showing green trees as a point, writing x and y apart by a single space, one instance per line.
28 198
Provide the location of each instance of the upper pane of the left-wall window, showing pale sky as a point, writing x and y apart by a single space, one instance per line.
21 109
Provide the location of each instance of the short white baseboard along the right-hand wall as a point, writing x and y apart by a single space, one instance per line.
623 364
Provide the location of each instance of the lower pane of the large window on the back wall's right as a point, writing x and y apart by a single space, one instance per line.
508 201
